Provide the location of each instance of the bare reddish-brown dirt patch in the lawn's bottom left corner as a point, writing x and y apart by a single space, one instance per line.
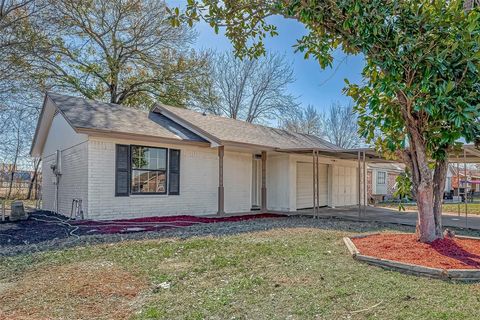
86 290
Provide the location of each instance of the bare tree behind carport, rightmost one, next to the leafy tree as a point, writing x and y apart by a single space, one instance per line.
339 126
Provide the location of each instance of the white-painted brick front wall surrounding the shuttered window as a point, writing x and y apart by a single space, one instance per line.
198 184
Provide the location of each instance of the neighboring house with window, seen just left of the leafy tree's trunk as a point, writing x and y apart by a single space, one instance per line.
381 180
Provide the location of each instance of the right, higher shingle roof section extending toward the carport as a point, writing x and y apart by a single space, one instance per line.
231 130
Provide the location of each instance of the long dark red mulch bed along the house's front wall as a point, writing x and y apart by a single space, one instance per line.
156 223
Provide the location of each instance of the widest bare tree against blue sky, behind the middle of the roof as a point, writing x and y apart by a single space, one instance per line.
251 89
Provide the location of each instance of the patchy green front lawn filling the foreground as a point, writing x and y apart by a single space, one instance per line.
296 273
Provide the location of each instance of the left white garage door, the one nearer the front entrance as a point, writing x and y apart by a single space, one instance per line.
305 184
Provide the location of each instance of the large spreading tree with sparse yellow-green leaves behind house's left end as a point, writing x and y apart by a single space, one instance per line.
123 52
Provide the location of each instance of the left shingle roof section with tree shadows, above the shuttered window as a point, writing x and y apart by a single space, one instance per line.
90 114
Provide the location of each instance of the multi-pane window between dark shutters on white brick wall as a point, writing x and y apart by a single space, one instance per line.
149 170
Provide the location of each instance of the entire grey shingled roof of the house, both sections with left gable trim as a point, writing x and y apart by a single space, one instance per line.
165 122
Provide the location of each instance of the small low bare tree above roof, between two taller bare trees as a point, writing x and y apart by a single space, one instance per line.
306 120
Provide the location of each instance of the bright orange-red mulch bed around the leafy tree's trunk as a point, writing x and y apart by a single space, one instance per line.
444 253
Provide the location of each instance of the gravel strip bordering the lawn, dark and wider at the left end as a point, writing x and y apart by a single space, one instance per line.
34 235
